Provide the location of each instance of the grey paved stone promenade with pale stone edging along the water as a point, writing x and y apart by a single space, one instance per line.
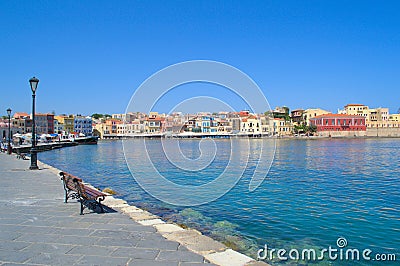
38 228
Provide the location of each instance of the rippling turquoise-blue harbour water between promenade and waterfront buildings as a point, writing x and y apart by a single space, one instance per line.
315 192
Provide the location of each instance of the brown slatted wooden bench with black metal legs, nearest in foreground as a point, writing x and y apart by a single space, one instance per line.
75 189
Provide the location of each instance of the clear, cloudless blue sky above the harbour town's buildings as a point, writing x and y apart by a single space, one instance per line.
90 56
